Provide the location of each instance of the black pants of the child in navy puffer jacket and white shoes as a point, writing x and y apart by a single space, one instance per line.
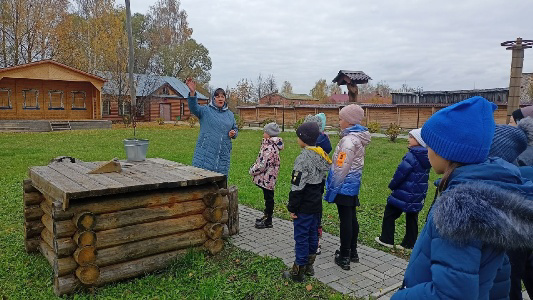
388 227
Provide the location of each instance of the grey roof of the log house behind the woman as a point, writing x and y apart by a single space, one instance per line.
146 84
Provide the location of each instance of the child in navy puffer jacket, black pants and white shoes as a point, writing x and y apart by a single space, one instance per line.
409 186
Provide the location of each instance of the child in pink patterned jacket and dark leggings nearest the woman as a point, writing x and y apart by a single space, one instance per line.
265 171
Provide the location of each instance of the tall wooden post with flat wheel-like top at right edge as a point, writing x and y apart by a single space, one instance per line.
517 63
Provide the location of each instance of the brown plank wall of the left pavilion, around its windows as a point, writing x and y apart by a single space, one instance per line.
44 111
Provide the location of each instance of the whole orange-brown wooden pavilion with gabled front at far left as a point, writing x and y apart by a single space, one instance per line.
48 90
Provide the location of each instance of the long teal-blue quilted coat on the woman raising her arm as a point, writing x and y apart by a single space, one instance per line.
213 147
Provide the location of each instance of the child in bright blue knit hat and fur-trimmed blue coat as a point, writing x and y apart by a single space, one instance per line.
482 209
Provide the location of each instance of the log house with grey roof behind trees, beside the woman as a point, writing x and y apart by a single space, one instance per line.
157 97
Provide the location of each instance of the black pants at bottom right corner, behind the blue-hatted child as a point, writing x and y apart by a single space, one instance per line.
521 270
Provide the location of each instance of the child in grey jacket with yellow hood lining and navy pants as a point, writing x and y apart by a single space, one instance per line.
305 200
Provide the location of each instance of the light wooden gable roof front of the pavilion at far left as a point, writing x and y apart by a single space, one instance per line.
48 69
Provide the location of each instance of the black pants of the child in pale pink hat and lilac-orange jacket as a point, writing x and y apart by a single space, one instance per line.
349 229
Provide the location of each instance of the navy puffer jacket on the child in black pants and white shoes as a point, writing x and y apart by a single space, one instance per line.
409 184
